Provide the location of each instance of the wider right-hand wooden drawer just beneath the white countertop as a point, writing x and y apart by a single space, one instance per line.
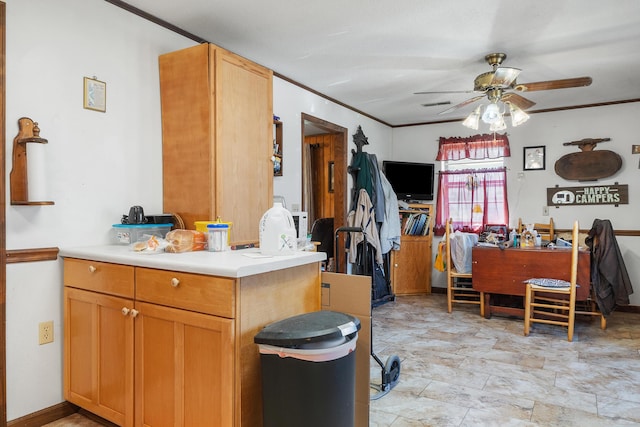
195 292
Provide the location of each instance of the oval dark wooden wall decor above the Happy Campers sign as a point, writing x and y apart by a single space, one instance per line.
588 165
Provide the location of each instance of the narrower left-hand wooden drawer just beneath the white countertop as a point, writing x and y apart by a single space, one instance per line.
112 279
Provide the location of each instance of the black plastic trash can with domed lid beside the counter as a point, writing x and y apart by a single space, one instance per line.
308 370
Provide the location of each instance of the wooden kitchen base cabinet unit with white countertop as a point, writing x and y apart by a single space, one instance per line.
168 338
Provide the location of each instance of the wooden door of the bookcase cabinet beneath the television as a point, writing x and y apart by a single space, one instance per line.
411 266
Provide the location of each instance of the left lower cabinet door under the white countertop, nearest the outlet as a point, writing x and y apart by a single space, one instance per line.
98 359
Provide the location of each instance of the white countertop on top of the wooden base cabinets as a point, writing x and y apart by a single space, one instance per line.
238 263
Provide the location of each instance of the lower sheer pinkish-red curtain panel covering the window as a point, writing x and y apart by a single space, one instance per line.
471 198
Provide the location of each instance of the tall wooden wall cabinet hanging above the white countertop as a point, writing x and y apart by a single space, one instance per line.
217 138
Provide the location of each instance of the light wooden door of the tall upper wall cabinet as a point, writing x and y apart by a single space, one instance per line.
244 130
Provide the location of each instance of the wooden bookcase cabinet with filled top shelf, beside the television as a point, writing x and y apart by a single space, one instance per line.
411 265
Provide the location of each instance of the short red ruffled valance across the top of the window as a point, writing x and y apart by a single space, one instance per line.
486 146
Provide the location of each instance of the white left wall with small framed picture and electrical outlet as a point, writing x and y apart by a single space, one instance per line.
94 167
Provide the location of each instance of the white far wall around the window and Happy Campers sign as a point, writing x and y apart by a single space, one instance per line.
527 196
